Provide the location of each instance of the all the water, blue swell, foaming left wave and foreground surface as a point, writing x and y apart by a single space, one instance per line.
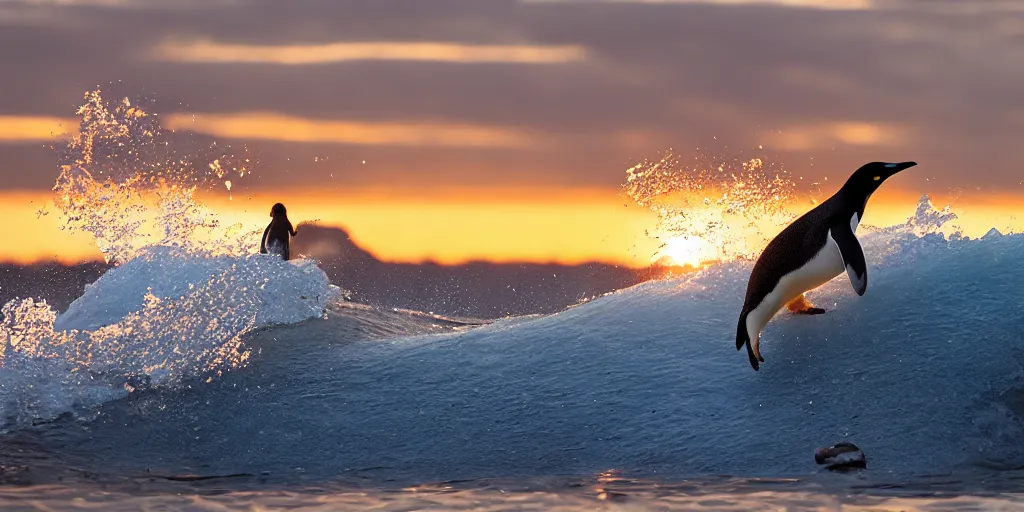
196 379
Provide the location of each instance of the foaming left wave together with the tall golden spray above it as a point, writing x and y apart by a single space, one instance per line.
185 291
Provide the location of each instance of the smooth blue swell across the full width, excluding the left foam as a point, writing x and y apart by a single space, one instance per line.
924 373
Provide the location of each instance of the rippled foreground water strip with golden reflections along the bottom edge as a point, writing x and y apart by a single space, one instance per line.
606 492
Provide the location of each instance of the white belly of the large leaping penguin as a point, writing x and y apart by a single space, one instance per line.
827 265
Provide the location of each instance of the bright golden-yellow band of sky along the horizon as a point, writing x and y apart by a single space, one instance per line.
458 226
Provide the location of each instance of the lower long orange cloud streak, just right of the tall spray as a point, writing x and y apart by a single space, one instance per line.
280 127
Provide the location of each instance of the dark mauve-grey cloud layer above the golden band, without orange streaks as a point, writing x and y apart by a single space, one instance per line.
940 79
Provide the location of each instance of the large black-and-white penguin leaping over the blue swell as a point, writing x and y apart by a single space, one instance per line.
812 251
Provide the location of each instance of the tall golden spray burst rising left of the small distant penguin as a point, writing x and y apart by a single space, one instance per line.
126 182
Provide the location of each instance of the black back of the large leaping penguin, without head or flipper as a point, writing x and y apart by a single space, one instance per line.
791 249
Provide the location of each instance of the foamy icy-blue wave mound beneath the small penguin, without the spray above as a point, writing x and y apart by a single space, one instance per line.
162 319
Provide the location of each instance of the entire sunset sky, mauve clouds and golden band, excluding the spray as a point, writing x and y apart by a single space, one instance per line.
502 130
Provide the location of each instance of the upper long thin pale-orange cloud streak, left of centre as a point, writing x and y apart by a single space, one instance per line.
212 52
